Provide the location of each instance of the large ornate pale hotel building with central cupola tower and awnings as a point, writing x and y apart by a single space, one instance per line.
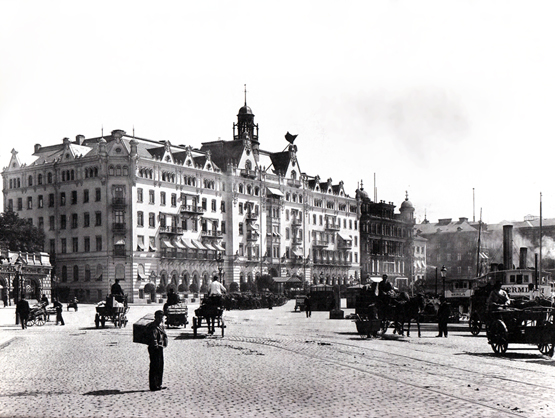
152 213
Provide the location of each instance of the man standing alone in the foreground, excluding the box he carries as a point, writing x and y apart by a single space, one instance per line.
158 339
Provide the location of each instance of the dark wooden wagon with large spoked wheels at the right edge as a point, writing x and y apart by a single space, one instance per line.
529 325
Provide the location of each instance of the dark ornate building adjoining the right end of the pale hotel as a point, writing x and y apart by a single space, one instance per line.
387 241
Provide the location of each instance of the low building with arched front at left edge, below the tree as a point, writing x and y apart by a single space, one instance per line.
24 273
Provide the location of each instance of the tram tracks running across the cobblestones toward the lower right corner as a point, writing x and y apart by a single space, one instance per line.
355 357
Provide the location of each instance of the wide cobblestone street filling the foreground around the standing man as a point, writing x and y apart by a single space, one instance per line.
270 363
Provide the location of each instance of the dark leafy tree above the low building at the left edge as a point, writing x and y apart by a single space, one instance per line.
20 234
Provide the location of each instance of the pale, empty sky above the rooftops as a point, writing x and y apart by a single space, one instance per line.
451 102
